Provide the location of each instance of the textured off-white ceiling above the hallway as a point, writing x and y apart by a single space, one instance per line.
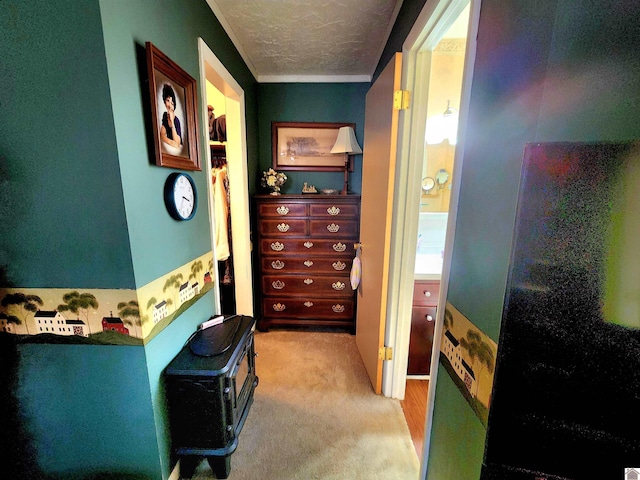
308 40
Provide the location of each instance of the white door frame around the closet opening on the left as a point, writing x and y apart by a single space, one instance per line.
213 70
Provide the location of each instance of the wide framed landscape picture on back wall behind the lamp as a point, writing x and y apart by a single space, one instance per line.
307 146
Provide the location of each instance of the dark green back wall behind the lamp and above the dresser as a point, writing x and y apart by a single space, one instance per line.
311 102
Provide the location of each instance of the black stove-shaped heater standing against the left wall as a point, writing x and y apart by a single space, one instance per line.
210 386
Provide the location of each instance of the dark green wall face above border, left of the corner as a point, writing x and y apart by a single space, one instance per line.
62 210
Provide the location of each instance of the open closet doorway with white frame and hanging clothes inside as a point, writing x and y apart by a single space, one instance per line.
227 189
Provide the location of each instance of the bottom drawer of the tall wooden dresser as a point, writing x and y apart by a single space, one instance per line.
308 309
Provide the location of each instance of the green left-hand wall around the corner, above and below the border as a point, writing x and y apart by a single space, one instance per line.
81 207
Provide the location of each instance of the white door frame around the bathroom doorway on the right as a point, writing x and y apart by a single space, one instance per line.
433 21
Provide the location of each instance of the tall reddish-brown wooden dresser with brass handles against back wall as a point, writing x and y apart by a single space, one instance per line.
305 248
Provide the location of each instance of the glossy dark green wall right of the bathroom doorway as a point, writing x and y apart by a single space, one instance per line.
550 70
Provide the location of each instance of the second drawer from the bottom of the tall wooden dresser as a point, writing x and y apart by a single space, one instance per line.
307 286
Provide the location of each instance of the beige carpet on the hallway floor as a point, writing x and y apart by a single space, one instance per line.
315 416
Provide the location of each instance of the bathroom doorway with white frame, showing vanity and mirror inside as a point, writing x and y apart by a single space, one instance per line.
439 55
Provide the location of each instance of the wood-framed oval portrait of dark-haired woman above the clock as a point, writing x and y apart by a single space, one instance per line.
173 112
